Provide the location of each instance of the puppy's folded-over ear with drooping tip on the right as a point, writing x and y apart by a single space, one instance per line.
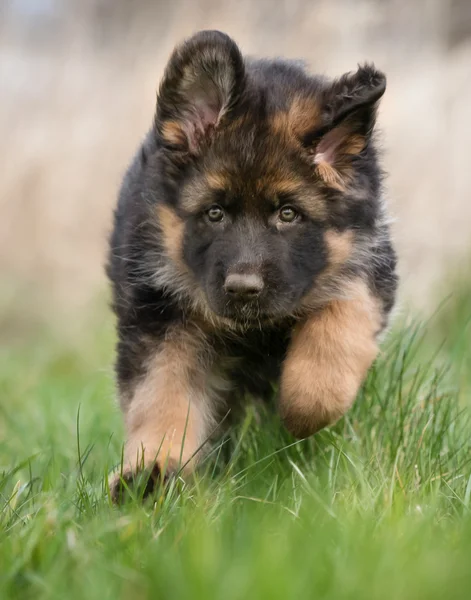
349 107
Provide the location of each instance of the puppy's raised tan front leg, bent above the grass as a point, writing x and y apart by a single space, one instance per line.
327 360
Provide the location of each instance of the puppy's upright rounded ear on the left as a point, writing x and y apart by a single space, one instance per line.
202 82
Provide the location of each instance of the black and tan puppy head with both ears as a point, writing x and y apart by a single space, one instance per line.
269 174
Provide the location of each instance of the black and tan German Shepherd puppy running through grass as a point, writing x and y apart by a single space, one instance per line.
251 247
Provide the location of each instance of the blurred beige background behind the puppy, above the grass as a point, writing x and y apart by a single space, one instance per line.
77 93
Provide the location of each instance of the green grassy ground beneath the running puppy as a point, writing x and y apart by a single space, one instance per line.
377 507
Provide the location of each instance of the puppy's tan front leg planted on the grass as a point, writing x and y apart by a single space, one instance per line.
170 411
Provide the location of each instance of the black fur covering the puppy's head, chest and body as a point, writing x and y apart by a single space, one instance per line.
226 108
